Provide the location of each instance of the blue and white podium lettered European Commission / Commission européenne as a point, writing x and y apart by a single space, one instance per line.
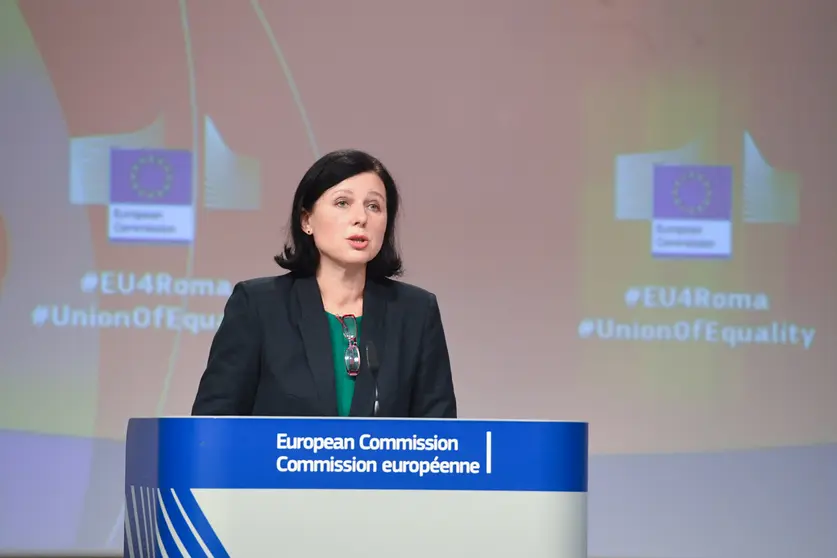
355 487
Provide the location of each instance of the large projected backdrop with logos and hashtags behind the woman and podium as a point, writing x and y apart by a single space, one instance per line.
624 208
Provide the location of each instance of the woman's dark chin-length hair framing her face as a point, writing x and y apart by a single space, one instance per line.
300 254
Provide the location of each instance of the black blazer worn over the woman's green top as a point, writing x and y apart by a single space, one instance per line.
271 355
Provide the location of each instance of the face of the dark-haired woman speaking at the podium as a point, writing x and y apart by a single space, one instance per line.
349 220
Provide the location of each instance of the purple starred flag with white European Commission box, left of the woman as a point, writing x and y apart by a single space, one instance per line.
151 196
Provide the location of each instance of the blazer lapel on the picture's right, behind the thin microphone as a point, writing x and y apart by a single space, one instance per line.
373 328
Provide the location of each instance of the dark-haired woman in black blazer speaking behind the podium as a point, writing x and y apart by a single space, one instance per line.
336 335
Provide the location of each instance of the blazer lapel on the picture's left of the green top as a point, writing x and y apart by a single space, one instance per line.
317 341
